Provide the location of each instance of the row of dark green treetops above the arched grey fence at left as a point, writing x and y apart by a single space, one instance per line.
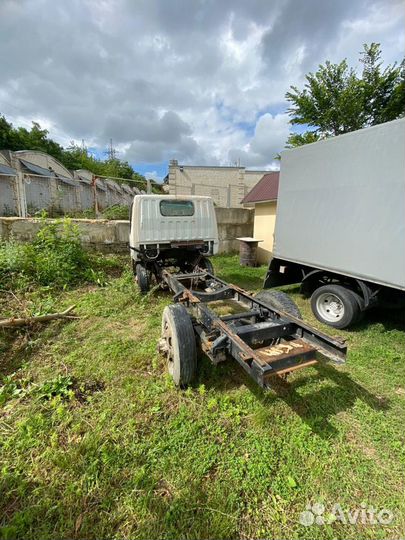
73 157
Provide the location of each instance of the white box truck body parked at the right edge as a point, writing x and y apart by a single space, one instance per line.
341 213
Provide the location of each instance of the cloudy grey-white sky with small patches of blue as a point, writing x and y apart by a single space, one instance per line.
202 81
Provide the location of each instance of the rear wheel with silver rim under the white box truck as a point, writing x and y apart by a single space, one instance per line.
336 306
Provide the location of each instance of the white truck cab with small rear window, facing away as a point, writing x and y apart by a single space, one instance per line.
166 230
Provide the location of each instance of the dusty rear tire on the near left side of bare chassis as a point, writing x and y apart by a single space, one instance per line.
179 344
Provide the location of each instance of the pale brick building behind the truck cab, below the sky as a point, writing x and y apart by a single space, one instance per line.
226 185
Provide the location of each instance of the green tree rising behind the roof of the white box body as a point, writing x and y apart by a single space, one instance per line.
337 100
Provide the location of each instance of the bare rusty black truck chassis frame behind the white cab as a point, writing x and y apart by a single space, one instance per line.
266 342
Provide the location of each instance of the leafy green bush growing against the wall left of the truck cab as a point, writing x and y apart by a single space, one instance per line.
55 258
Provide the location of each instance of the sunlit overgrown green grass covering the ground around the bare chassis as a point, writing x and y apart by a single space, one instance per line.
97 443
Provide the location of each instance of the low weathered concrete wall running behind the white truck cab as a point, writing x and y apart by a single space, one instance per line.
112 236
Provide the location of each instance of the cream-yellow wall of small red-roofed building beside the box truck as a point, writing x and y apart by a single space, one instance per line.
264 224
